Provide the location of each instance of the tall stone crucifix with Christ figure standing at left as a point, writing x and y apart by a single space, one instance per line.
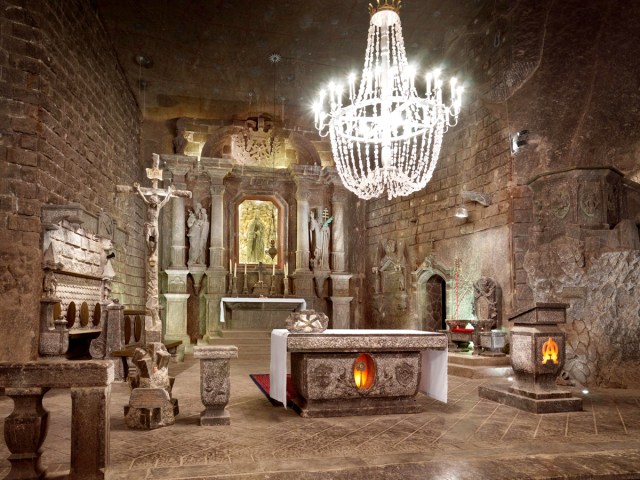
155 198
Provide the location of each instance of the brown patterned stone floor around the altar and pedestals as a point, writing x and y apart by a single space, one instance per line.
468 438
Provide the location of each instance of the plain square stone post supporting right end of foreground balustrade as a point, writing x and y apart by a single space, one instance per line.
89 446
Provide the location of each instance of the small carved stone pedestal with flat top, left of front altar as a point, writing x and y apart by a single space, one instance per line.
215 385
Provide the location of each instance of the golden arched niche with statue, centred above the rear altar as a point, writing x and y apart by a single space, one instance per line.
255 215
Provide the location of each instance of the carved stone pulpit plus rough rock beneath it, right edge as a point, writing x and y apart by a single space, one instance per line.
576 257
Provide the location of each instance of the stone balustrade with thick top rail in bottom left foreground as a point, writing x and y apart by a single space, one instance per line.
25 429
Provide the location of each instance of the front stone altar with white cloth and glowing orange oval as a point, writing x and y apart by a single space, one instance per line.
359 372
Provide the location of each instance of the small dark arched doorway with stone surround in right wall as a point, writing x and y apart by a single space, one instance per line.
425 276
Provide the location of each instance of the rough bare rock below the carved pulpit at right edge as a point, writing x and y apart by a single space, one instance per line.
603 321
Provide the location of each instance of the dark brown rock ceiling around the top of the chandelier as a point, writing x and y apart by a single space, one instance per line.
181 52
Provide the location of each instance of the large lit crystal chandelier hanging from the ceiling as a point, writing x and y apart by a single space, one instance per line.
387 138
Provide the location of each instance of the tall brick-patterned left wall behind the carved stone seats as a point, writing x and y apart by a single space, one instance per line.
69 129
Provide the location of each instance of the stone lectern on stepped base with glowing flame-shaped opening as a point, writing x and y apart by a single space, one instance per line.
537 357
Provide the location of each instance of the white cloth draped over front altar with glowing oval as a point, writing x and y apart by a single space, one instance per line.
433 371
